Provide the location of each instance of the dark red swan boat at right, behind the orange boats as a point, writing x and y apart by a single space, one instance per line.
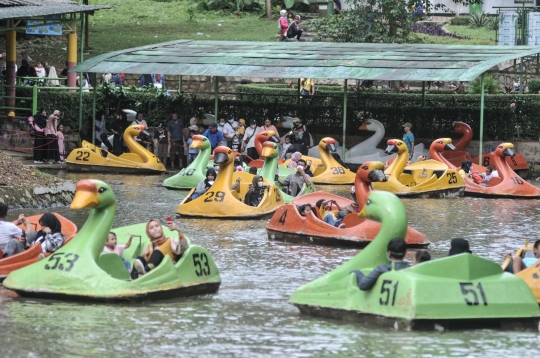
518 163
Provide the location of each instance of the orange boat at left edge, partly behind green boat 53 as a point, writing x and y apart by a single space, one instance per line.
29 256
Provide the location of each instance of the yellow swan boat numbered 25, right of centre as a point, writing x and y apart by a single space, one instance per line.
429 180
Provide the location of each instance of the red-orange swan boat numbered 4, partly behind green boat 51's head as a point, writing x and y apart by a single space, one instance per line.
288 225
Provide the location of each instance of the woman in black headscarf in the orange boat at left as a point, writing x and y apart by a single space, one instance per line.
49 237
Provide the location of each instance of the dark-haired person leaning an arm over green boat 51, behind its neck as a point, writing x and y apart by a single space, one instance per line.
396 250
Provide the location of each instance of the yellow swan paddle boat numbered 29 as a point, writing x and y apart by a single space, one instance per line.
220 202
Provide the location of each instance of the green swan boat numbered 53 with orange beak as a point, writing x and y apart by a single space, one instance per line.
80 271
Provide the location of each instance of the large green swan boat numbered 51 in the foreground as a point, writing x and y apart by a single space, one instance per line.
460 291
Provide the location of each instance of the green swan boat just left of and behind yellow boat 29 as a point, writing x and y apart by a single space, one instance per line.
190 176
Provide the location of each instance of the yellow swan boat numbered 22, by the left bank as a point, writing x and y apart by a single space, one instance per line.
139 161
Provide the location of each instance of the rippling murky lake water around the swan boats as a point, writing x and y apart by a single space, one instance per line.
250 316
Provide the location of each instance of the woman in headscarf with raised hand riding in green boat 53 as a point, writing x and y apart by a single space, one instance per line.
159 247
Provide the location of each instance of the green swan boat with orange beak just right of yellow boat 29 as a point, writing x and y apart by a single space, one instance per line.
270 152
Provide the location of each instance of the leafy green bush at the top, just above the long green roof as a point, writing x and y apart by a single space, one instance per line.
387 21
